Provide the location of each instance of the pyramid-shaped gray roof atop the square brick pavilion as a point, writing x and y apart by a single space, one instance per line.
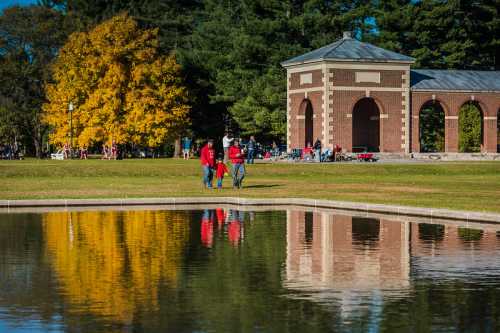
349 49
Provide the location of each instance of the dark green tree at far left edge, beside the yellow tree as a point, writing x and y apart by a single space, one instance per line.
29 40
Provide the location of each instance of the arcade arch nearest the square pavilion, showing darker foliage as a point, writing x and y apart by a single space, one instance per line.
431 128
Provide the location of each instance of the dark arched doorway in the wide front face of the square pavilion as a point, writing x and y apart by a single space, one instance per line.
366 126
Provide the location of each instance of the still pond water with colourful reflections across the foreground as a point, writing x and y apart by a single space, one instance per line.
223 270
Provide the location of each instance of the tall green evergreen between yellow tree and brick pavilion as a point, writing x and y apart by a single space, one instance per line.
240 45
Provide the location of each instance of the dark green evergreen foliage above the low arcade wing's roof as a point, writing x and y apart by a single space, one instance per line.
441 34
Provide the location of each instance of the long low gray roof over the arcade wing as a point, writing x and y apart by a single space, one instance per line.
429 79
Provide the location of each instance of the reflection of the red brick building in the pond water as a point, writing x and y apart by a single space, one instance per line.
344 253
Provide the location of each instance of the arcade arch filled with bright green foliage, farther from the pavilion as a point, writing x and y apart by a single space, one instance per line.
470 128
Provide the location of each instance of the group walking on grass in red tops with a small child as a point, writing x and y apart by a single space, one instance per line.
232 152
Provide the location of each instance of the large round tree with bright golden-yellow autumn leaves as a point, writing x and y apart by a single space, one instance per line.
121 86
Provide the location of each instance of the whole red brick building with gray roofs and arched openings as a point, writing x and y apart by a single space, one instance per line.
360 96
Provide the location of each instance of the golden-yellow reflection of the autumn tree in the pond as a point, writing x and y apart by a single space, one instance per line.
113 262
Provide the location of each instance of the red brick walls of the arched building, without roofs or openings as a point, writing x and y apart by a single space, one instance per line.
391 100
